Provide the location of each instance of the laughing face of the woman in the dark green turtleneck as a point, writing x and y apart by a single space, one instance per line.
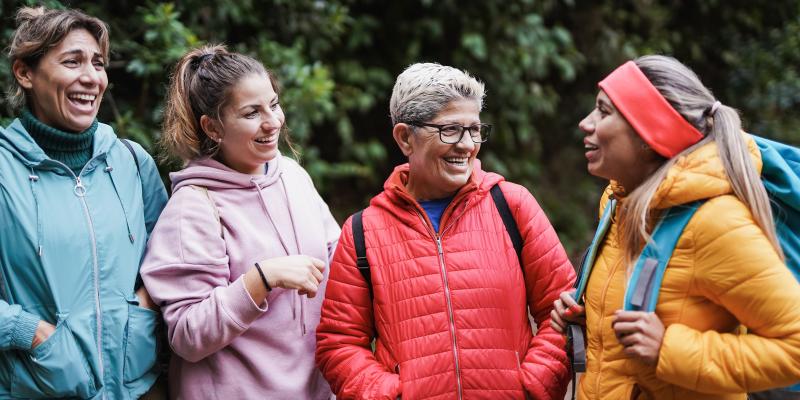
66 86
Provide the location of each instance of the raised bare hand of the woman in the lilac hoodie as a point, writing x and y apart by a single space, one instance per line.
300 272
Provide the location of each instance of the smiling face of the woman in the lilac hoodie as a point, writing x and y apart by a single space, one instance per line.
251 123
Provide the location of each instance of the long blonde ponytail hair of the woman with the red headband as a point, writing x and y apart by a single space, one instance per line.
687 95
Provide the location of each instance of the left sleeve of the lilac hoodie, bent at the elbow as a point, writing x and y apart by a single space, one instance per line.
186 272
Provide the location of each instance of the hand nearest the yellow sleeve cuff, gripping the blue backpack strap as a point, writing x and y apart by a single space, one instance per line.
641 333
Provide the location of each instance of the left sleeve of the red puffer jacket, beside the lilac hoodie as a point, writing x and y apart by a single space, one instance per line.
346 329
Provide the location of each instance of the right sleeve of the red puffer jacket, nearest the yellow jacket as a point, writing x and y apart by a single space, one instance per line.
548 272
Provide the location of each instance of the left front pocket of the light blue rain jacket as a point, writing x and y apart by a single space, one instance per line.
55 368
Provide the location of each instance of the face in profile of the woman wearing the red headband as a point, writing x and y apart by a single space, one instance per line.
614 150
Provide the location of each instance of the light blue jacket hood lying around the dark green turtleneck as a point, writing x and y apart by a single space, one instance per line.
19 142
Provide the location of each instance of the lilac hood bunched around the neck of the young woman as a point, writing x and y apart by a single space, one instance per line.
212 174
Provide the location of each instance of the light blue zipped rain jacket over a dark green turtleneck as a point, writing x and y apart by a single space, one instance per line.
70 248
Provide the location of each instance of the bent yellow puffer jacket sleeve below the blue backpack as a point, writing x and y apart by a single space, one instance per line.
737 268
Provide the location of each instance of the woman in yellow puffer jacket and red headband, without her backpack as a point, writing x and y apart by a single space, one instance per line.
727 320
